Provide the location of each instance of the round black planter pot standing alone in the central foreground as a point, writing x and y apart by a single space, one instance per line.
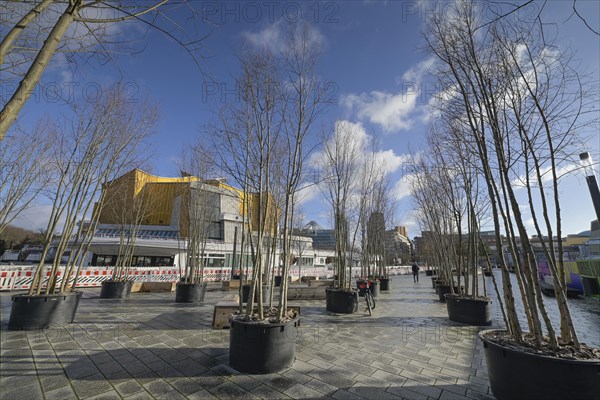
262 348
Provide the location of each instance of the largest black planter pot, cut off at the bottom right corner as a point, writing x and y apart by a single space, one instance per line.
515 374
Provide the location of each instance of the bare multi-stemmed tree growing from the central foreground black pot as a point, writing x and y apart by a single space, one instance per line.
261 143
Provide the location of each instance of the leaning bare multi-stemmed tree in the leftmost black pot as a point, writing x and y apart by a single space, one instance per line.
91 150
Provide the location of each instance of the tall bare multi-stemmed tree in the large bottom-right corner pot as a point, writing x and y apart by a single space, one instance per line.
521 103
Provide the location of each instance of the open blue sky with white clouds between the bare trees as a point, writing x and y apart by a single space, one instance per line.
372 59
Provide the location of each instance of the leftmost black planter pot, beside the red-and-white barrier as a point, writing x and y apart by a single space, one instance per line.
42 311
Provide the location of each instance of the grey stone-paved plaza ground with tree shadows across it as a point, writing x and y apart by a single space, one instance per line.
150 347
